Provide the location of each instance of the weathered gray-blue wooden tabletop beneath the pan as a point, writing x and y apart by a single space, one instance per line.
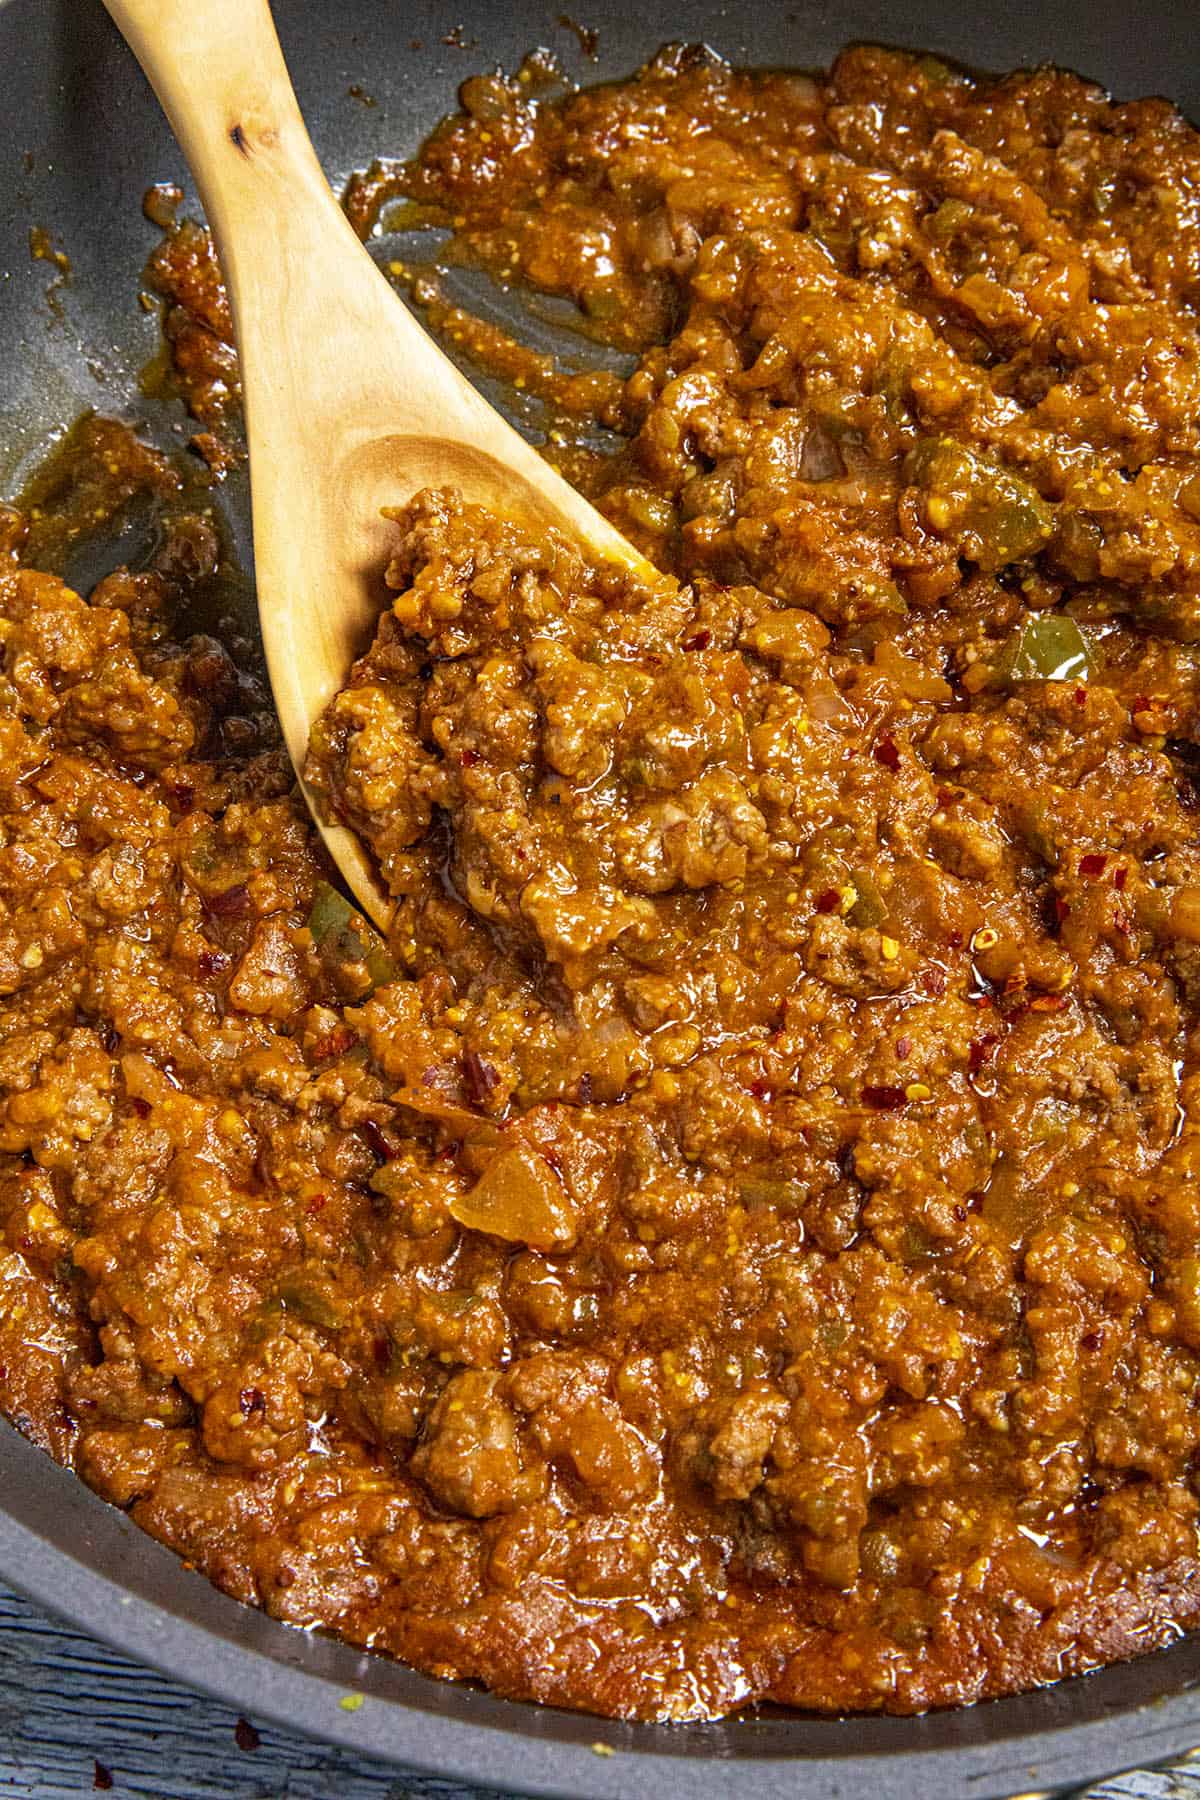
76 1718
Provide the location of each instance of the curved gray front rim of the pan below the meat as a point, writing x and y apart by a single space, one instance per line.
93 1567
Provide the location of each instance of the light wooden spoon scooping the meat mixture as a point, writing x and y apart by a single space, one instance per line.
350 406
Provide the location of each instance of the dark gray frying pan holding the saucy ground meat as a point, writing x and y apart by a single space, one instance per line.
80 141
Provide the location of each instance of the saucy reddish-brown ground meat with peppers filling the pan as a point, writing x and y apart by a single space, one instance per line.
740 1237
